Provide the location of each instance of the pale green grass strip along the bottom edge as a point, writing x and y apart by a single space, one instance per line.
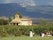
26 38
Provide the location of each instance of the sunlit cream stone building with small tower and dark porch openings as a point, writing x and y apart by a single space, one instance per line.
20 21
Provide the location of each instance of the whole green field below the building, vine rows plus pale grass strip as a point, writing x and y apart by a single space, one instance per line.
8 32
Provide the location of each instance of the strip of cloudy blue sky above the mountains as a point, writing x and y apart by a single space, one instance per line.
33 2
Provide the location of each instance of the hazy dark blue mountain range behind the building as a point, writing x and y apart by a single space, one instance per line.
39 11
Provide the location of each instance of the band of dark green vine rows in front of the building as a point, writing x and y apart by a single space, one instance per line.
6 30
